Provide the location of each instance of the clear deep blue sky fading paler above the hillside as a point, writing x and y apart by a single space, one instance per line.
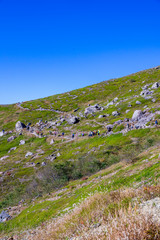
49 47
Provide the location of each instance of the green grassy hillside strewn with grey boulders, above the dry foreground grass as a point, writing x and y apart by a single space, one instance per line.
61 171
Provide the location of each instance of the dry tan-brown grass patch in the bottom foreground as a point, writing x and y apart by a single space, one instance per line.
105 216
